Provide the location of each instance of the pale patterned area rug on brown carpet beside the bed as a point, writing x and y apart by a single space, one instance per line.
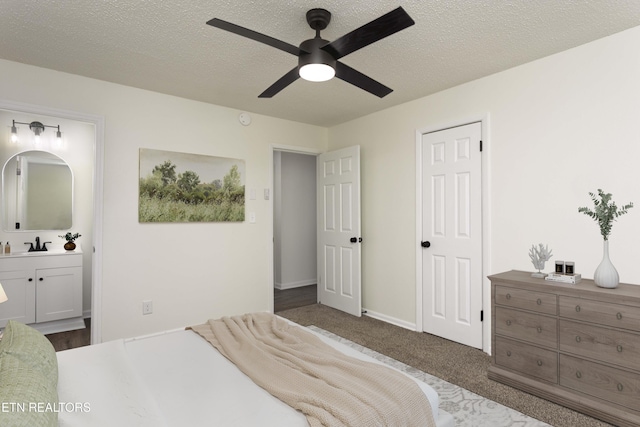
467 408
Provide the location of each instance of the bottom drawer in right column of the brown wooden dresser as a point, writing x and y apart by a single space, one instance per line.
610 384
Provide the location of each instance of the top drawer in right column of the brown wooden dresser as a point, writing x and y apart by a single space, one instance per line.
604 313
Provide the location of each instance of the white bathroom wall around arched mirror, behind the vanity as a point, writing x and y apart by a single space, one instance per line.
78 151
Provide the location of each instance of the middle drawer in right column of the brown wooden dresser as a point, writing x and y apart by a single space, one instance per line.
604 344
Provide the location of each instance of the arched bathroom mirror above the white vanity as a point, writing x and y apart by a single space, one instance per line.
37 192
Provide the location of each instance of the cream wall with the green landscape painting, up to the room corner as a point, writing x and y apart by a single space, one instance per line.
191 272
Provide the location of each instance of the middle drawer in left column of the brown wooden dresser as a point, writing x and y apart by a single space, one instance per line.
531 327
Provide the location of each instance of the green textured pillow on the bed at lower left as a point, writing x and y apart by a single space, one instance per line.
28 378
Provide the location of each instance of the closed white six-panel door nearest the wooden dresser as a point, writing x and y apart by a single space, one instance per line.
452 234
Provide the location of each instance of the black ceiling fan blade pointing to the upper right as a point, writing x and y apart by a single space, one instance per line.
375 30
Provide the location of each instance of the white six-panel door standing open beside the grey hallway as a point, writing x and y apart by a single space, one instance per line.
339 240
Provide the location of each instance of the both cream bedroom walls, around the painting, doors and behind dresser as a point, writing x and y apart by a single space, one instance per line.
559 128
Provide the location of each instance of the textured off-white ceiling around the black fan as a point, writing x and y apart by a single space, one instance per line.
165 46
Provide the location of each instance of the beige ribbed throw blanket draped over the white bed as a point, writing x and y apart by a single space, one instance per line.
330 388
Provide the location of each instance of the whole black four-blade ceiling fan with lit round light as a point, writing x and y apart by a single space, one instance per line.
318 58
